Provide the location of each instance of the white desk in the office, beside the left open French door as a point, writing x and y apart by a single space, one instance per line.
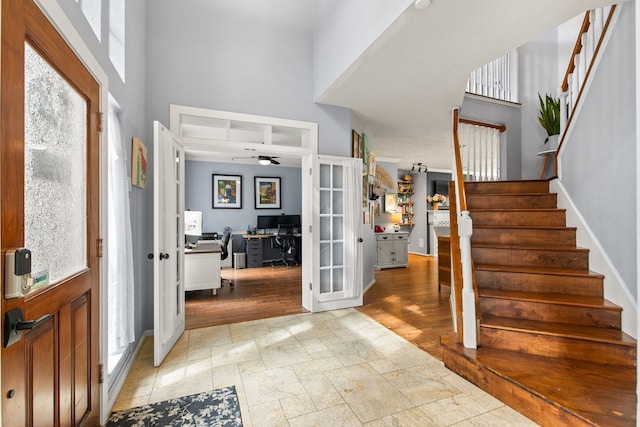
202 269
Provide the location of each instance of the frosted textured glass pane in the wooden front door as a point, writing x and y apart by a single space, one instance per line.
55 155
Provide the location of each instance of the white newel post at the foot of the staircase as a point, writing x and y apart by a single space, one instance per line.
465 230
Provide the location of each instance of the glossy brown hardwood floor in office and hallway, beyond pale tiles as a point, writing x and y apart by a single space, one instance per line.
405 300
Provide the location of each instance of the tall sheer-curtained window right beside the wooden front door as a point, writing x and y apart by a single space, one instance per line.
120 284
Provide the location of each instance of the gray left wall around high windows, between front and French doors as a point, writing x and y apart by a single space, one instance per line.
130 95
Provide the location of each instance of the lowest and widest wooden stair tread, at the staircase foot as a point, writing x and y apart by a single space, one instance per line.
593 393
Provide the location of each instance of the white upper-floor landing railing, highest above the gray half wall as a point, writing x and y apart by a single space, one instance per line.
494 80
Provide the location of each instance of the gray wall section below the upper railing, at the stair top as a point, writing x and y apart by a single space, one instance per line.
500 113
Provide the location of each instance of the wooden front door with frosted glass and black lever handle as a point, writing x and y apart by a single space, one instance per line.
49 181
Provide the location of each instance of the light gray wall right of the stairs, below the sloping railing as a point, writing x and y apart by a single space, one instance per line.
598 161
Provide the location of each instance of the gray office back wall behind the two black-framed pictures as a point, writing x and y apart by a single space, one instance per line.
198 193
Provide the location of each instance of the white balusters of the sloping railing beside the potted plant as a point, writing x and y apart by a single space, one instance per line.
594 27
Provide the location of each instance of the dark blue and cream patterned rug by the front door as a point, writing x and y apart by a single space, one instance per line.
213 408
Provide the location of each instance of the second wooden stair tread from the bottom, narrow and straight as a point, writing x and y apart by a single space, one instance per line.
587 333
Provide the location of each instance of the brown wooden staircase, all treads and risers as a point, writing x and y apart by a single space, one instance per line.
550 345
